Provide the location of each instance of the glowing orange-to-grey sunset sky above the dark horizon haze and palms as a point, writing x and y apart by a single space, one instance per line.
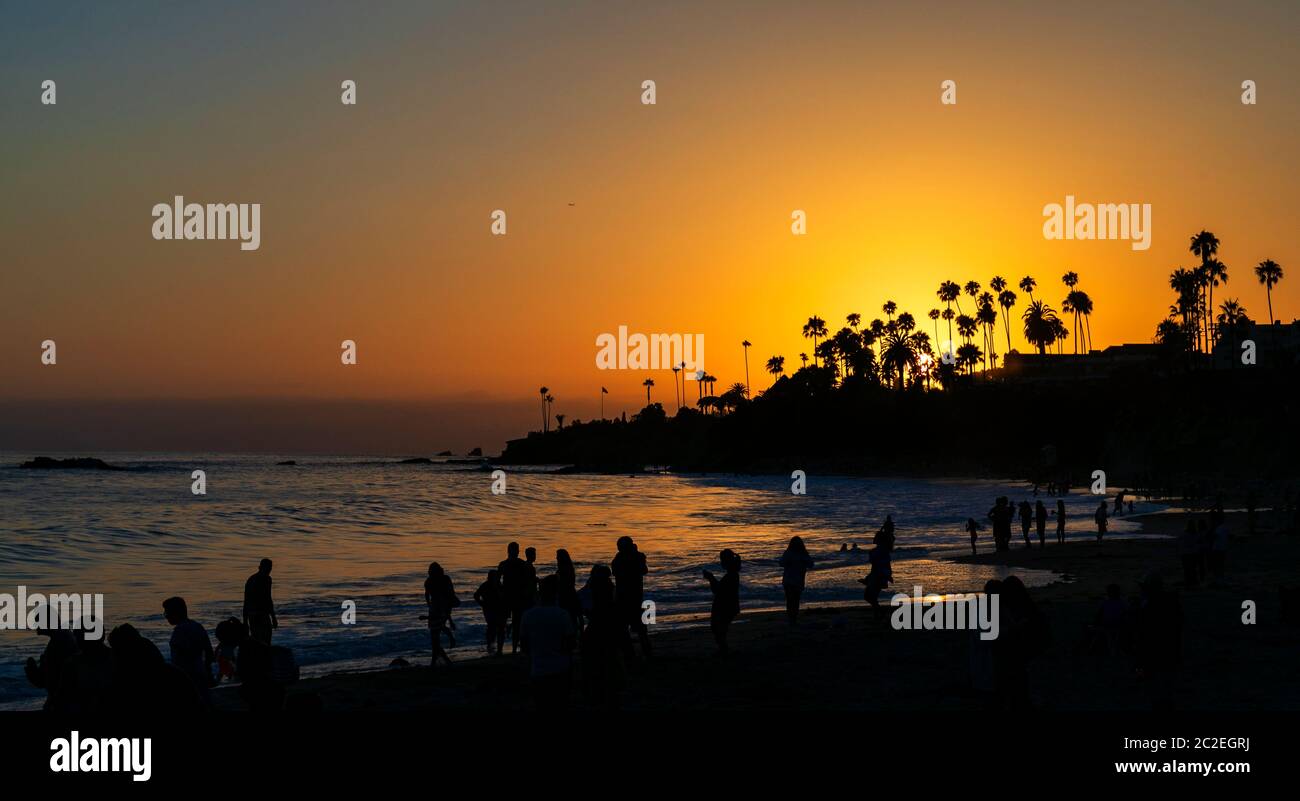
376 218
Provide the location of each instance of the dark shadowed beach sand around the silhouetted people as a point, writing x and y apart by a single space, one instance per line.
843 659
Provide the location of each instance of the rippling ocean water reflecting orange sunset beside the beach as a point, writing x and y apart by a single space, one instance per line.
365 530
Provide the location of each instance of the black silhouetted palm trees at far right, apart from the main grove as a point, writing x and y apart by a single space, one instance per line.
1191 319
